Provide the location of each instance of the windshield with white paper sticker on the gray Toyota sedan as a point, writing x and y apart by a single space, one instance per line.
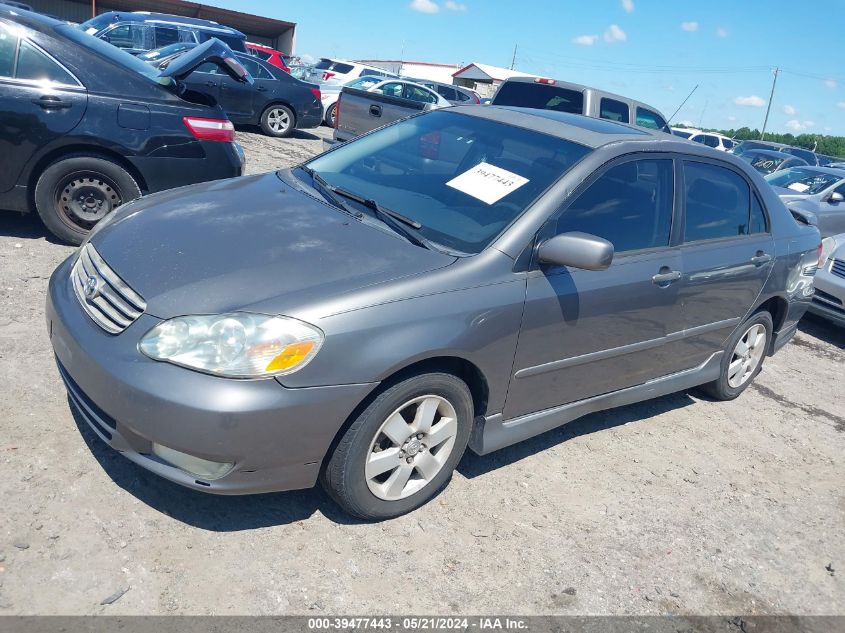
463 178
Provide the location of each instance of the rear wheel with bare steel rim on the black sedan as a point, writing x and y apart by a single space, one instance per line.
76 192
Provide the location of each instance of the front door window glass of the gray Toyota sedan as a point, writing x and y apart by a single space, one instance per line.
630 205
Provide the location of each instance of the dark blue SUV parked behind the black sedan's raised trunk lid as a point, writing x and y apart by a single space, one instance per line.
141 32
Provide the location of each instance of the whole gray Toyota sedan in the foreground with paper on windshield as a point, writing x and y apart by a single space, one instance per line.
469 277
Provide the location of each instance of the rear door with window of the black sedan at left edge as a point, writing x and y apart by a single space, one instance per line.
39 101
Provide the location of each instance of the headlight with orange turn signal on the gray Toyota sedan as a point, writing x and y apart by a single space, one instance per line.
237 345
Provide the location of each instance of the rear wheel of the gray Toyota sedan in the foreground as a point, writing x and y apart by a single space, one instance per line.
743 358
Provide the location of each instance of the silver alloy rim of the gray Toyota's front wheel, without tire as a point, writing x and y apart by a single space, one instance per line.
411 447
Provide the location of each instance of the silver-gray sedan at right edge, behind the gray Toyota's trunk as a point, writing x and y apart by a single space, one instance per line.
819 190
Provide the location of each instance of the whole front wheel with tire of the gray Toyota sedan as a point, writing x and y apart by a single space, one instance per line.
402 449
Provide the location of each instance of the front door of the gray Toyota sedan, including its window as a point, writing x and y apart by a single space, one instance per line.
586 333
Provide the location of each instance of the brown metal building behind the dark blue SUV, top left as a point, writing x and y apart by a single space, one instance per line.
279 34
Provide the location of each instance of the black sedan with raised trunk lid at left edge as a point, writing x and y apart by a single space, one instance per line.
80 136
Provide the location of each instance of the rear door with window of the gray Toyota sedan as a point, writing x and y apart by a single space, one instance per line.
727 254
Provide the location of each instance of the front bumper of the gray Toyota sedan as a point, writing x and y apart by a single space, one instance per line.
276 437
